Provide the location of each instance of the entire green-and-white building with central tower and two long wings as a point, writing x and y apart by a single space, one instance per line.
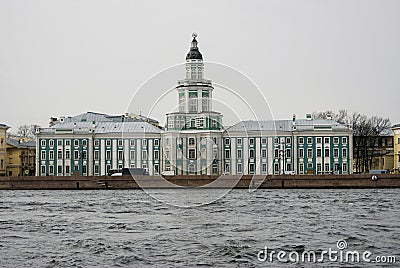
194 140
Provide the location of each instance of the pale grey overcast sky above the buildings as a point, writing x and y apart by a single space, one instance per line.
68 57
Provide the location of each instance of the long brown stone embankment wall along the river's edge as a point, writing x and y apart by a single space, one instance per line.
247 181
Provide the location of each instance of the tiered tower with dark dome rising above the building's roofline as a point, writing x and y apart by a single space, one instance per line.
194 97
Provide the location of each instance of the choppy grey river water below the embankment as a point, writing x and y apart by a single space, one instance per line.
130 229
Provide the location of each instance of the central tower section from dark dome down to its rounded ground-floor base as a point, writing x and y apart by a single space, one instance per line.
192 140
